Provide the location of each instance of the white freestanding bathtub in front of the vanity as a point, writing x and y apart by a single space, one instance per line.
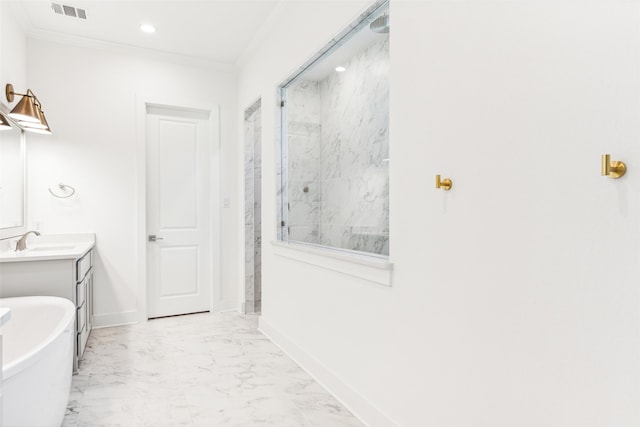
37 359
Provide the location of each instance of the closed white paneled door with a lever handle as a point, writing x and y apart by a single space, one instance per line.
178 218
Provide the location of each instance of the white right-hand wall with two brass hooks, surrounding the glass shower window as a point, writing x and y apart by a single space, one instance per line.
515 295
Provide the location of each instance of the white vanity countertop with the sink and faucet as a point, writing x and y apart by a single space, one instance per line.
51 247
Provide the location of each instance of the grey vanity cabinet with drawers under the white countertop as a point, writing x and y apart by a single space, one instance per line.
70 278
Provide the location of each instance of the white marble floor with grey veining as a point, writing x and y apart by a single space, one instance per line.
197 370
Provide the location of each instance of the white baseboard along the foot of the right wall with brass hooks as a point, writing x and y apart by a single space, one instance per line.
364 410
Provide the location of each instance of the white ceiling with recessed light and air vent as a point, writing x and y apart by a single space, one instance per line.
211 30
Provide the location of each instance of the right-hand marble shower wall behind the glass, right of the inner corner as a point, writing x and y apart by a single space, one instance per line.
354 146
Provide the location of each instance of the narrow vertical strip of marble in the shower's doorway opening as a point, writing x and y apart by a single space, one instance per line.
253 202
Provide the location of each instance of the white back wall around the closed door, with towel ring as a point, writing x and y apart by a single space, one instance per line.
90 97
